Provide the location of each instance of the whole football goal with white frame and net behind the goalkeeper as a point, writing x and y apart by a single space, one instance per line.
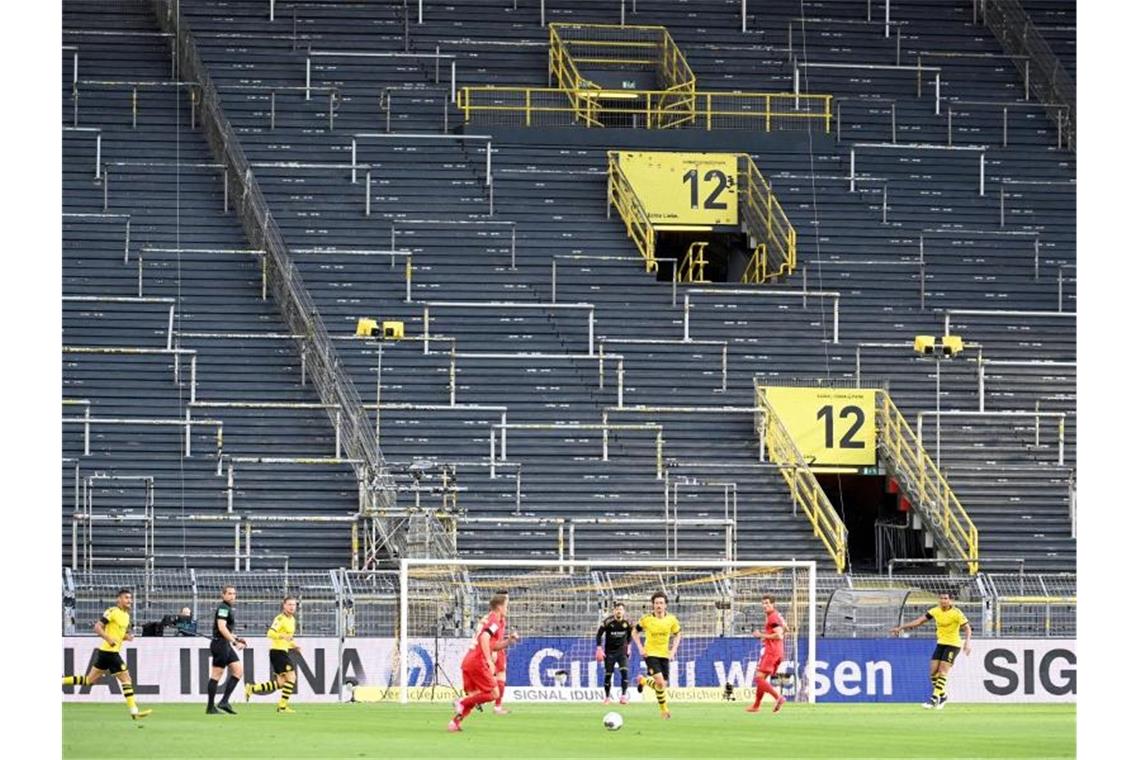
557 607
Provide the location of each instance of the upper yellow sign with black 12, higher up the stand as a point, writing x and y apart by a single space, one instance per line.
685 189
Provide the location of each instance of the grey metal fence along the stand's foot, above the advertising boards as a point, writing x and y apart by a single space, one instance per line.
367 603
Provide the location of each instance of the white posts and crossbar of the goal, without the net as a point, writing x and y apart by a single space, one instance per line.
810 566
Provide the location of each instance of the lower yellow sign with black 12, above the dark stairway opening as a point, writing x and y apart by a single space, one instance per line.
829 426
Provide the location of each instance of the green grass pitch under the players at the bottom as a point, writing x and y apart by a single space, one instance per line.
574 731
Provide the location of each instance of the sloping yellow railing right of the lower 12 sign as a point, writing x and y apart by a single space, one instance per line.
931 495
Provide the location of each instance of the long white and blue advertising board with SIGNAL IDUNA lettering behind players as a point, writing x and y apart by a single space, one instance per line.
564 669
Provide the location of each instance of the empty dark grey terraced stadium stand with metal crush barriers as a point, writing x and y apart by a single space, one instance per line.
543 364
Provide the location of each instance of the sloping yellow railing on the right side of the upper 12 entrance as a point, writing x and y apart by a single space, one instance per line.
770 232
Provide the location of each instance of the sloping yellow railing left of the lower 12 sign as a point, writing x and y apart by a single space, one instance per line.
807 493
